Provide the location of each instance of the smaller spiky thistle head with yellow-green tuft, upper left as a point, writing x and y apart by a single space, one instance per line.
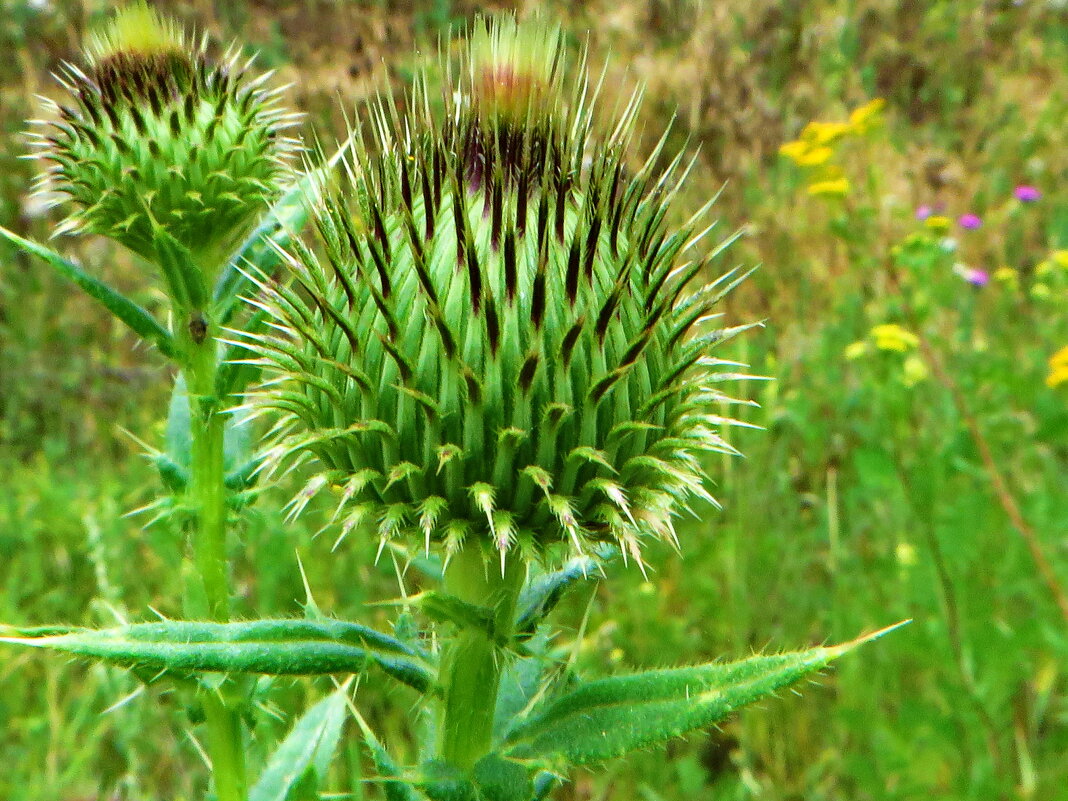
156 133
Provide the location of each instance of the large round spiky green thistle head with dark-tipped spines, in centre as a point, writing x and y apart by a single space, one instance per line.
498 341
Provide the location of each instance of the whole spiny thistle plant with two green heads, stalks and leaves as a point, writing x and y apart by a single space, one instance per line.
497 353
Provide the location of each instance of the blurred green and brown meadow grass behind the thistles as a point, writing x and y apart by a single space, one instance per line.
865 502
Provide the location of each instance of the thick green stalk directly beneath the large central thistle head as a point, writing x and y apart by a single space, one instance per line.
472 669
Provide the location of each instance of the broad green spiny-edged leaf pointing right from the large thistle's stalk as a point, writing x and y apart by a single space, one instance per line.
606 719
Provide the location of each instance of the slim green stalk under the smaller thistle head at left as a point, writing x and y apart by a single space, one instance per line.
209 495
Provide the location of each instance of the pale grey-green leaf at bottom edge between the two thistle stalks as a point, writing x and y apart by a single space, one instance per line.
304 758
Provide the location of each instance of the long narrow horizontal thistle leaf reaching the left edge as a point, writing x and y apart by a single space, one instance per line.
281 648
